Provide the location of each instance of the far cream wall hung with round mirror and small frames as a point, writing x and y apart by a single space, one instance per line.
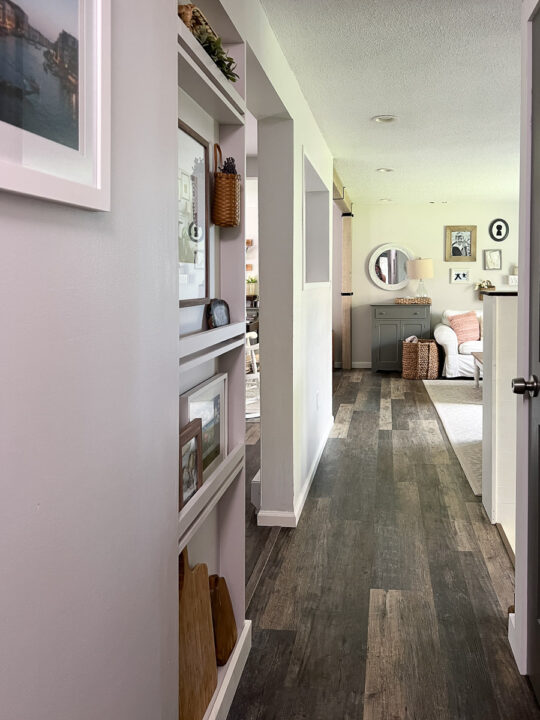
421 228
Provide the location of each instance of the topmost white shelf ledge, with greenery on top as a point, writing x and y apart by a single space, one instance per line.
199 76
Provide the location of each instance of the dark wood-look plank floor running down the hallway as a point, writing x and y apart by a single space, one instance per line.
389 600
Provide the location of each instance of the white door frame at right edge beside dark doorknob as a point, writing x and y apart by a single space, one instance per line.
519 622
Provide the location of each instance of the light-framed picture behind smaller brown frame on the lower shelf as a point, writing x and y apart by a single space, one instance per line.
208 401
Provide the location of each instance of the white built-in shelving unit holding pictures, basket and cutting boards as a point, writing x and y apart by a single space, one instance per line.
214 516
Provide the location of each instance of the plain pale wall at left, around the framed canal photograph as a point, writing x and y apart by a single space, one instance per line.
89 417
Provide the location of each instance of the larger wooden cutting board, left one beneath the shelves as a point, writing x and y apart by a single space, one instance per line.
198 668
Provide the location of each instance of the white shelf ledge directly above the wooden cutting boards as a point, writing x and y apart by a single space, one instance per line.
195 512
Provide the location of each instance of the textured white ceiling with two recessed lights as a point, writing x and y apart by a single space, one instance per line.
449 69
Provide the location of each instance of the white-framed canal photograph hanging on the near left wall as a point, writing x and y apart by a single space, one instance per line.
55 100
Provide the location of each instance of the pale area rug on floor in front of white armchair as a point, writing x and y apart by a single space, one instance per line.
459 405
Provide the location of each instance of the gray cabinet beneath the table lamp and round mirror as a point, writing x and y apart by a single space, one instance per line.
390 325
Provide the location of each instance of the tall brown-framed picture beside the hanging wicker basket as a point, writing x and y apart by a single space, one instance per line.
193 193
